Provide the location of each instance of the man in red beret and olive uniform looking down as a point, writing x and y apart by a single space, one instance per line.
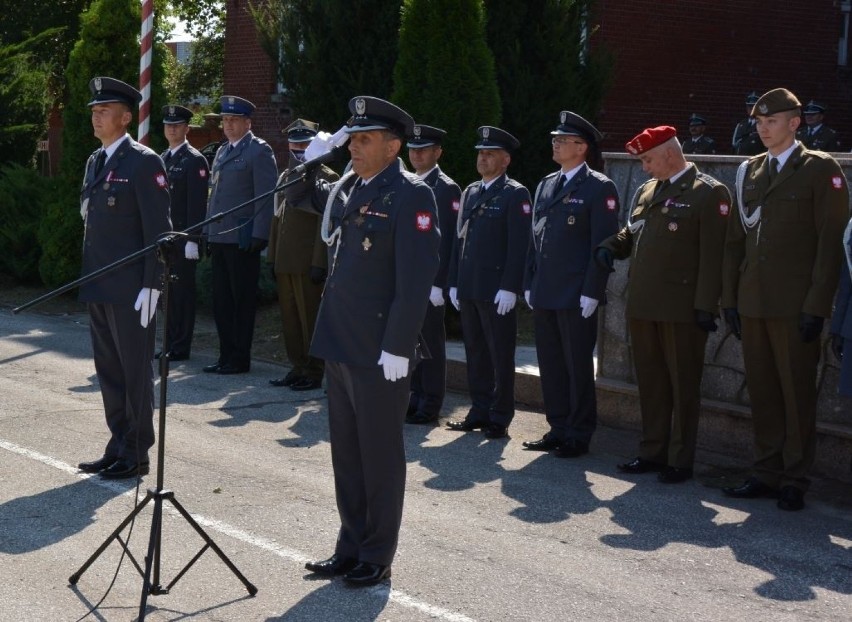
675 238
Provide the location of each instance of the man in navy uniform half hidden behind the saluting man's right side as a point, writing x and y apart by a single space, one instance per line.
429 379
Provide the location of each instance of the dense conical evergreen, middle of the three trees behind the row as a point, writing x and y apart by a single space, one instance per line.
444 83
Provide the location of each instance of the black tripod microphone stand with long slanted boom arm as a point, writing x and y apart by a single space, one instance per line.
151 573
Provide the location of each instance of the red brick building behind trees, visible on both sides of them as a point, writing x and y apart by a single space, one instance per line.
671 59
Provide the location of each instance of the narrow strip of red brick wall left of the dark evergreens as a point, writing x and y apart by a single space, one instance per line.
249 73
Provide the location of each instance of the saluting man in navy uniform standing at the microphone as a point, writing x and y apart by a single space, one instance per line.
380 223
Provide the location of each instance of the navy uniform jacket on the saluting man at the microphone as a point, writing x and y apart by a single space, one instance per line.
378 286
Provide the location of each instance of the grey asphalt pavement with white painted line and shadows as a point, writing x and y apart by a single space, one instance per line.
490 533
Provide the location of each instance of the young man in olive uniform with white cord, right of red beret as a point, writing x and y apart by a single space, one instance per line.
782 259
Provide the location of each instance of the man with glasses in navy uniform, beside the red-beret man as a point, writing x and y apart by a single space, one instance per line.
575 209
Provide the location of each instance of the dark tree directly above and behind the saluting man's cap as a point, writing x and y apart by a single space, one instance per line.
330 51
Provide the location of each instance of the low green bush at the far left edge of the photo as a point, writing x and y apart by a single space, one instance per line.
22 195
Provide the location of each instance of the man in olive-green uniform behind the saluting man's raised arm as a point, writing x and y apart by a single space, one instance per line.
299 260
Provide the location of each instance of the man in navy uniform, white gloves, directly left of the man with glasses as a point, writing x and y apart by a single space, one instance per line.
486 276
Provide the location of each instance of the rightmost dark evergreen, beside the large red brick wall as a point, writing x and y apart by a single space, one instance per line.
542 69
